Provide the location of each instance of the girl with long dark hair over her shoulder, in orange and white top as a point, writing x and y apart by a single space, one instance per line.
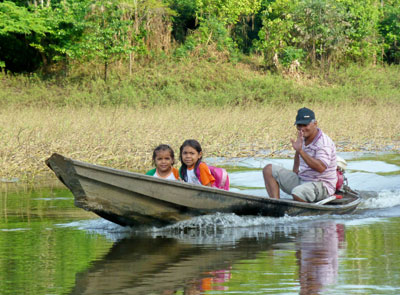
193 170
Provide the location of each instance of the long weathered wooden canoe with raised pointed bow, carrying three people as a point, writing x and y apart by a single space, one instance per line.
129 198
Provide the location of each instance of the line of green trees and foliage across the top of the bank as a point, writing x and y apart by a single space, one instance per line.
55 35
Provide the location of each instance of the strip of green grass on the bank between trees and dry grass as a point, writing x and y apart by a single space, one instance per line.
206 84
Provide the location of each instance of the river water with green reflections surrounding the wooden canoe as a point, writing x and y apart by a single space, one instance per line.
47 246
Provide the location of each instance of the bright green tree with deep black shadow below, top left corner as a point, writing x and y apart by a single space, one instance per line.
47 33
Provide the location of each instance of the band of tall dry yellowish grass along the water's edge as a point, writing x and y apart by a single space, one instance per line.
124 137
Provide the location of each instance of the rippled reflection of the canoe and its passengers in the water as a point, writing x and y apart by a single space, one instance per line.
195 262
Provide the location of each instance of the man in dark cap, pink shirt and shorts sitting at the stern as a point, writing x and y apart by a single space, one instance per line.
314 170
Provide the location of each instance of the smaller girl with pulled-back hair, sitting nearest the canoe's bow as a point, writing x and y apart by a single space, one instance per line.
164 159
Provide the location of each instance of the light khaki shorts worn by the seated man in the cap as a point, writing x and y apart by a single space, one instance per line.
291 184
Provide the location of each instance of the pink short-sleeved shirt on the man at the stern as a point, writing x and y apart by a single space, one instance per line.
321 148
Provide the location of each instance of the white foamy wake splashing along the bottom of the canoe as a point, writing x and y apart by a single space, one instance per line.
209 228
